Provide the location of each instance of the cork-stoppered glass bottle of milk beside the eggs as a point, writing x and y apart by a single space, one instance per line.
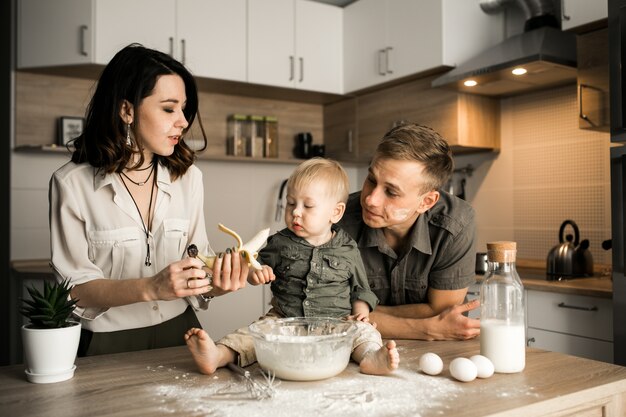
502 324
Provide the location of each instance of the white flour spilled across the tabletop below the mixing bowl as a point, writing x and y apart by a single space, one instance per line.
406 392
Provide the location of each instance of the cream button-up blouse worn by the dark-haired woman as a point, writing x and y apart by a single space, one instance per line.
96 232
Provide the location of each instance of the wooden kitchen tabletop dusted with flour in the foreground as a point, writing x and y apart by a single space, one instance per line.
165 382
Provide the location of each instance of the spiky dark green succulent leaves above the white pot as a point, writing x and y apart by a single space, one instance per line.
52 309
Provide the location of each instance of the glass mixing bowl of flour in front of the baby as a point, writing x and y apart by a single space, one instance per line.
303 349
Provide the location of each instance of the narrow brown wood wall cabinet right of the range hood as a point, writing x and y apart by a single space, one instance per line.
593 80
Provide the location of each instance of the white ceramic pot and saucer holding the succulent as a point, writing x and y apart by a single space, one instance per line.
49 354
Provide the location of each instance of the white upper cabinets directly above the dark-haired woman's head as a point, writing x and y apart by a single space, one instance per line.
207 36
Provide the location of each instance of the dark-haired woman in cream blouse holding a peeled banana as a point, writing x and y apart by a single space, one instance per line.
124 209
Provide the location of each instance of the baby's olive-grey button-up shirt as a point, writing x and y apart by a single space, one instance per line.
316 280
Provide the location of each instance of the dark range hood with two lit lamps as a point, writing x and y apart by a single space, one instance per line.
547 55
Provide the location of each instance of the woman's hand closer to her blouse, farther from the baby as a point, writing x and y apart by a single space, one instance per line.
180 279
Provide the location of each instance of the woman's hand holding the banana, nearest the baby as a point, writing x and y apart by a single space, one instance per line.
230 272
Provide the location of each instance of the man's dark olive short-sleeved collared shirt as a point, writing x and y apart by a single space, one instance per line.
441 254
